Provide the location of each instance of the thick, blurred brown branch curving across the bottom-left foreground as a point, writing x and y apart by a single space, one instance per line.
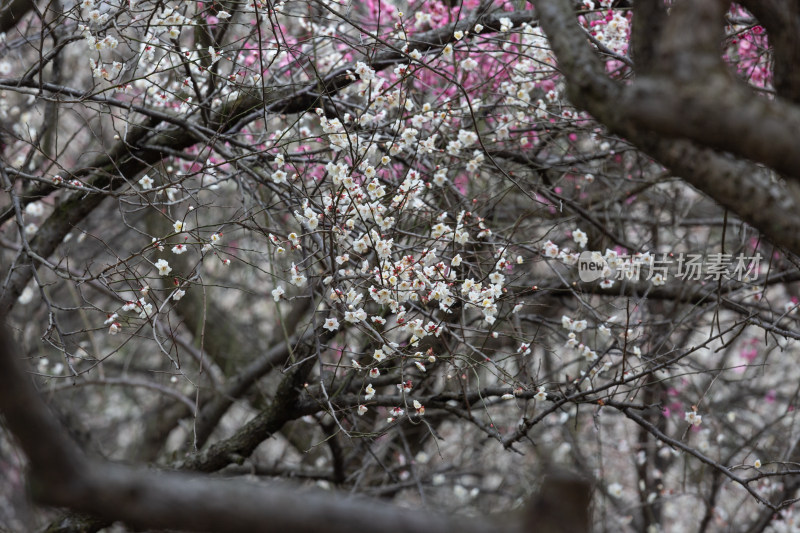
62 476
